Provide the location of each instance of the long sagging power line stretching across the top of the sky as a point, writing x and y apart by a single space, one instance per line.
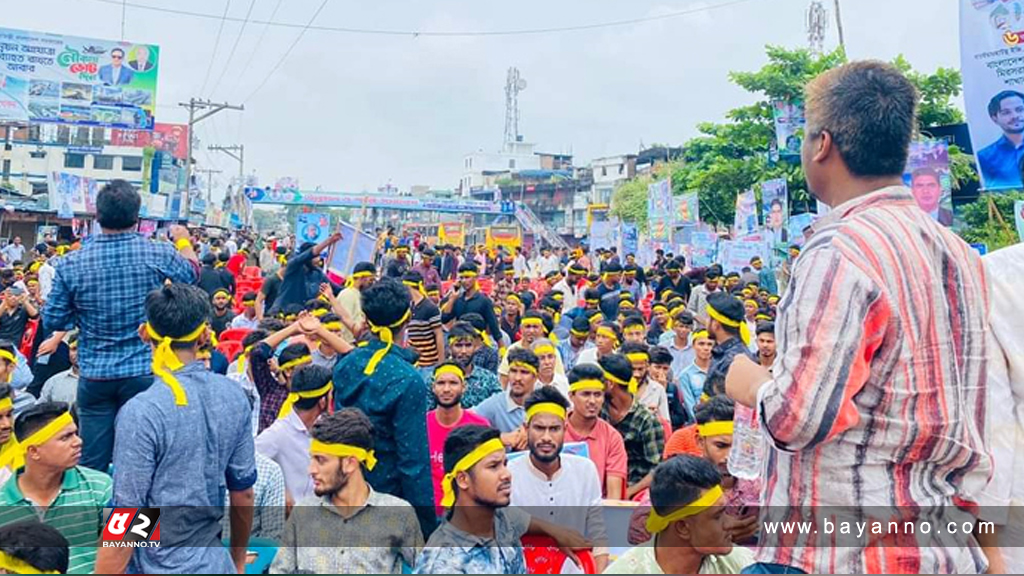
418 33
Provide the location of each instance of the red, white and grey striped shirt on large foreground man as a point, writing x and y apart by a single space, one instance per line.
880 385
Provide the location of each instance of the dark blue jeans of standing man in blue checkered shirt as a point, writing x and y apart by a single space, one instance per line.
98 404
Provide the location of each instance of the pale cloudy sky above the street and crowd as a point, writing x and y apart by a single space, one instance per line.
352 112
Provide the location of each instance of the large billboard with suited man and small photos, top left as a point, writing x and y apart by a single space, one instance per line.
71 80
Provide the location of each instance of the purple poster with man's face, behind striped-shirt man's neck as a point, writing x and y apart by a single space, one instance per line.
929 179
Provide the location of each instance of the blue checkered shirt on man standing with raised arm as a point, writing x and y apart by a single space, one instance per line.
102 290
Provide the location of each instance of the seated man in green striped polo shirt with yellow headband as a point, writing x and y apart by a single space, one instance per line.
54 488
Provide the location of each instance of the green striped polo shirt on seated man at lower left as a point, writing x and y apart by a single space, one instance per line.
77 512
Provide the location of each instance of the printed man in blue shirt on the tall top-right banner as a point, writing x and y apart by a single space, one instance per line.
1000 161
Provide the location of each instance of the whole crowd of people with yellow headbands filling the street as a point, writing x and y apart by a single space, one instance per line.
444 412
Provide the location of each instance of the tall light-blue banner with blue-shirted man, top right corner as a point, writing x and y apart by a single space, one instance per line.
993 65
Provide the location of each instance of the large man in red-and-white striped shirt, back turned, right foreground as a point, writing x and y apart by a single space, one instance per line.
876 407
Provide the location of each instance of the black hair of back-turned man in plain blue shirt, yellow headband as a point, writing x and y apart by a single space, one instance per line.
178 310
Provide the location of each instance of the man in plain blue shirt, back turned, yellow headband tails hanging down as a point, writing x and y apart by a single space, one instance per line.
179 445
